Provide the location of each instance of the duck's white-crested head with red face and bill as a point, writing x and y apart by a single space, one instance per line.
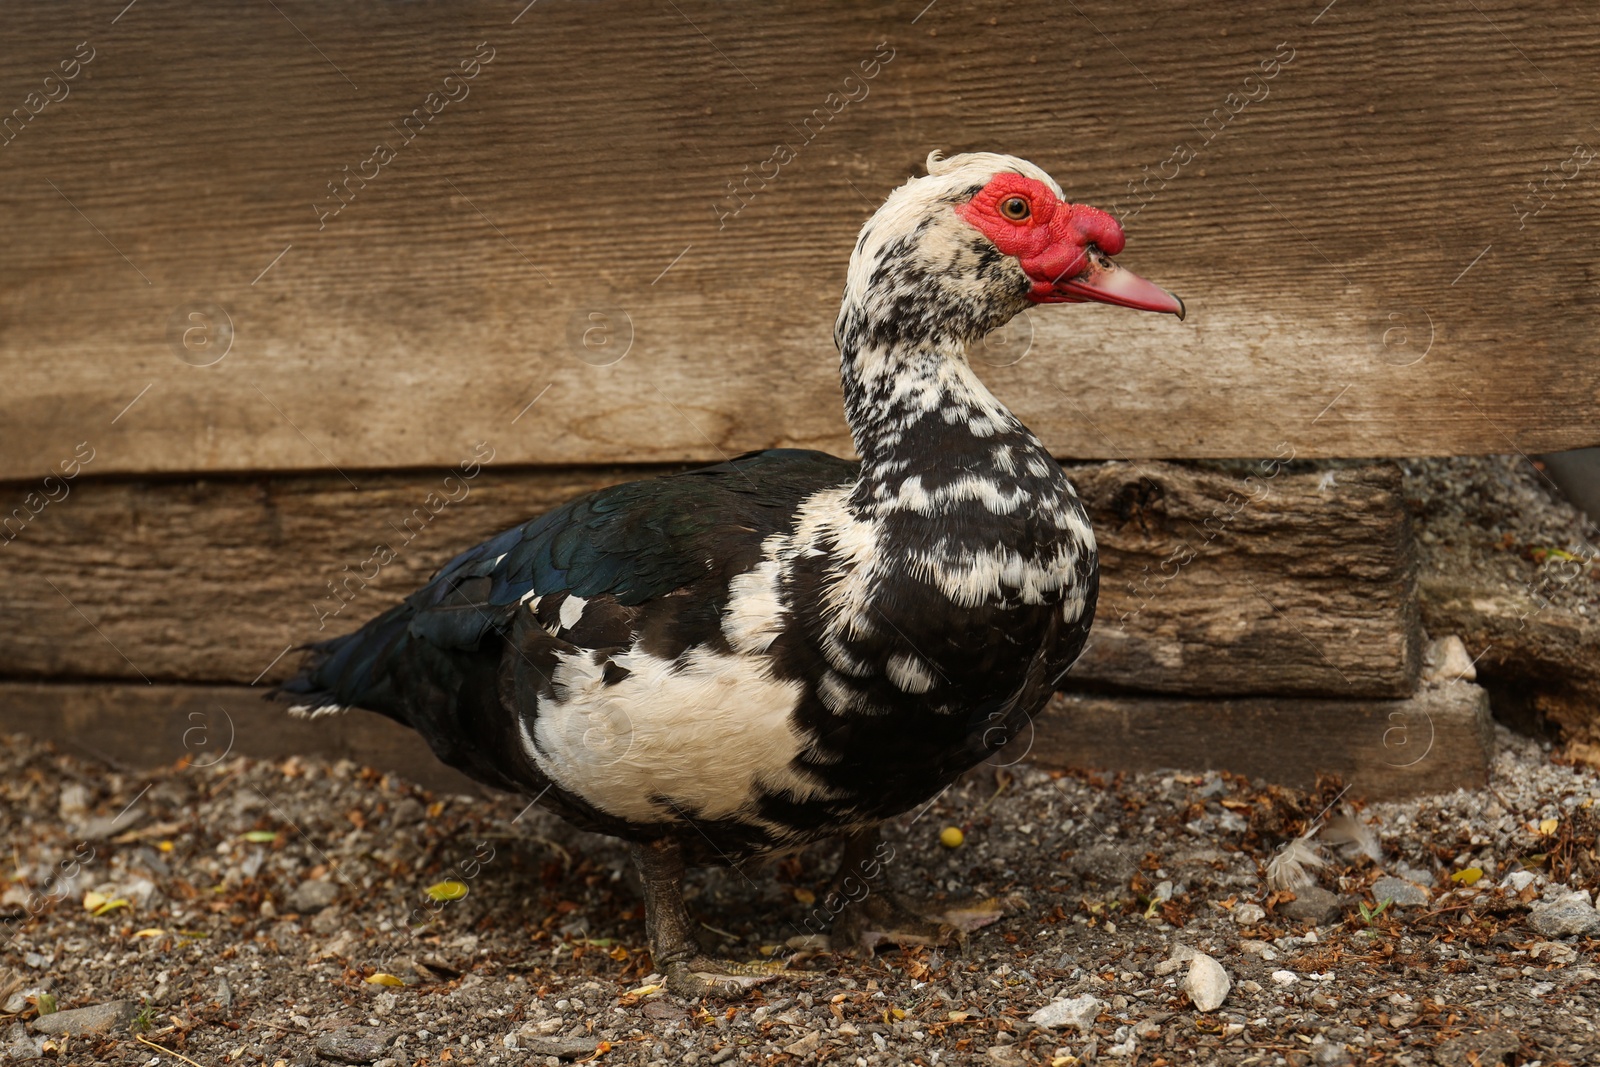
977 241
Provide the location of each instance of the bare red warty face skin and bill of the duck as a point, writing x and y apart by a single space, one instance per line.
1063 247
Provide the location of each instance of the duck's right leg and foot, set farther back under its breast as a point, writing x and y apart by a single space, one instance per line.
873 914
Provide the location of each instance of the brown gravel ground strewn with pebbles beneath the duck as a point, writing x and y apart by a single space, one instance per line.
257 913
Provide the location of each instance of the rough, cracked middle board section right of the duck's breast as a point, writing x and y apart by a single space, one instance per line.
1252 581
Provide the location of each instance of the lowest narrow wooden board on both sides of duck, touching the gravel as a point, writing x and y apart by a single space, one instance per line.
1436 741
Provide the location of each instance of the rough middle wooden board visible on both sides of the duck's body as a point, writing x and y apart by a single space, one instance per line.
1212 583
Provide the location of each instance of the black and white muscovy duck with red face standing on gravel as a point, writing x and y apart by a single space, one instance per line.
786 647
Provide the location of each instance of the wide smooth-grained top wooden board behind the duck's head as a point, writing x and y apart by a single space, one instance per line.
1367 268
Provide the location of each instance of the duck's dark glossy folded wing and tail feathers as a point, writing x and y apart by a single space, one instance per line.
636 562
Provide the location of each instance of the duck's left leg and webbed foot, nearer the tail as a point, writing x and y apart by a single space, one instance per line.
673 945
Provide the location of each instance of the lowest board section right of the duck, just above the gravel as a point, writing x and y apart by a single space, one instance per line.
1434 741
